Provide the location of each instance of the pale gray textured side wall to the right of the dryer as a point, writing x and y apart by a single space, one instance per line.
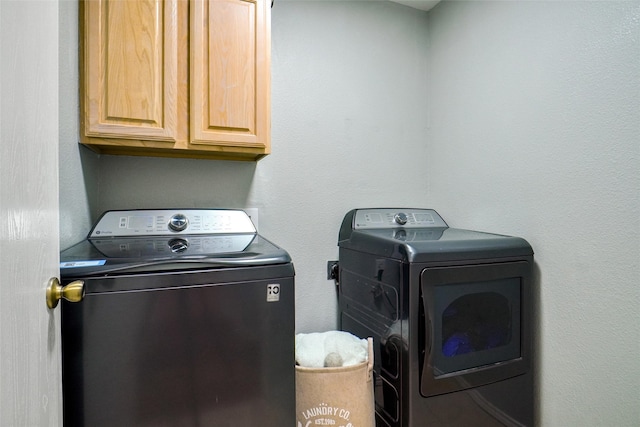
535 131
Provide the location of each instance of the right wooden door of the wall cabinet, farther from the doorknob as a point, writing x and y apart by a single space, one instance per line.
230 75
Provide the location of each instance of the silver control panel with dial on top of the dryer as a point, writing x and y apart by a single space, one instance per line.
394 218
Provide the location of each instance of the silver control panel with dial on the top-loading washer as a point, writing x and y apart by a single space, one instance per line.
162 222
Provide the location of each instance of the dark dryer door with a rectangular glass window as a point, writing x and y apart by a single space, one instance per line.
477 325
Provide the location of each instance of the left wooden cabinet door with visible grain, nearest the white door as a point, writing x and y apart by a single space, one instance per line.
131 87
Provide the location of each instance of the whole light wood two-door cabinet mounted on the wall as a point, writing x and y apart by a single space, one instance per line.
176 78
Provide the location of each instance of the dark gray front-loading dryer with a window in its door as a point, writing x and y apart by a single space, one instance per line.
451 314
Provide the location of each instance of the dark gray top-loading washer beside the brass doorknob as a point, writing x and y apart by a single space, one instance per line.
187 320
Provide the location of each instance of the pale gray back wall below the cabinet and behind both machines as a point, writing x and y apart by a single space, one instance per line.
348 130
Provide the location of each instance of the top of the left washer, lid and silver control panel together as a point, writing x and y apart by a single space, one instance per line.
141 241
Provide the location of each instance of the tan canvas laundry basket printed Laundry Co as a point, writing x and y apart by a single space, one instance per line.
339 397
